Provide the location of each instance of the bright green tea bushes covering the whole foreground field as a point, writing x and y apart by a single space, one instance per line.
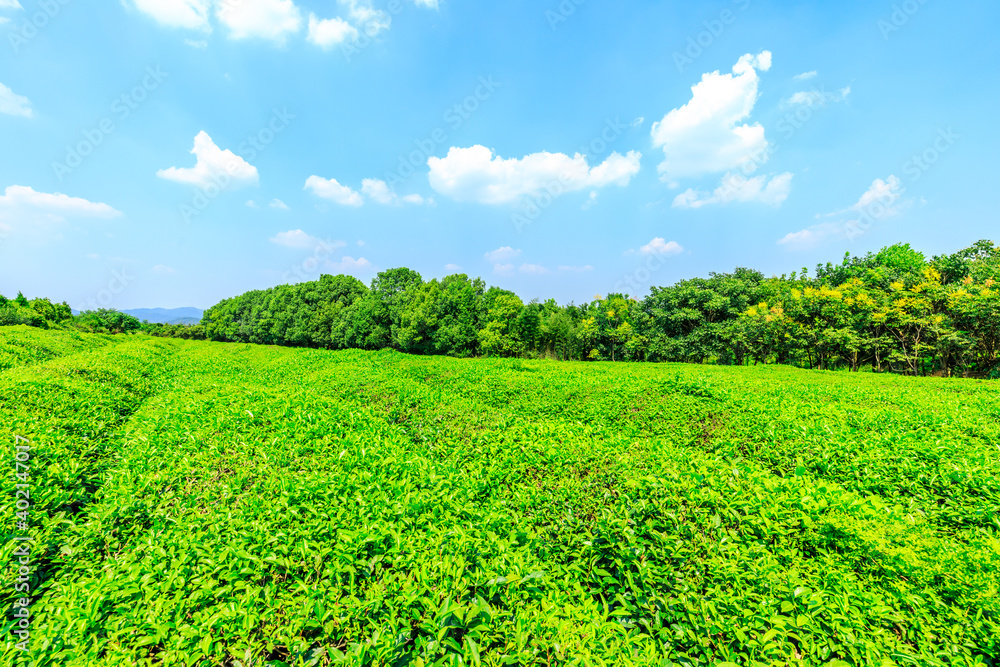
208 504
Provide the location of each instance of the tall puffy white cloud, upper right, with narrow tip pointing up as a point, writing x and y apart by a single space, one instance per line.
705 136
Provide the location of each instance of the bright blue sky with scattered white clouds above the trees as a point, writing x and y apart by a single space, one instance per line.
556 149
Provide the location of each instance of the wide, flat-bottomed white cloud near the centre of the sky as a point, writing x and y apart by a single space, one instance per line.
474 174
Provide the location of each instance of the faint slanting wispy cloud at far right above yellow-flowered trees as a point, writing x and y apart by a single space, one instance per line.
882 200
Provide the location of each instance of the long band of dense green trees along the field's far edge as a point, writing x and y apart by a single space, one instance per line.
891 311
